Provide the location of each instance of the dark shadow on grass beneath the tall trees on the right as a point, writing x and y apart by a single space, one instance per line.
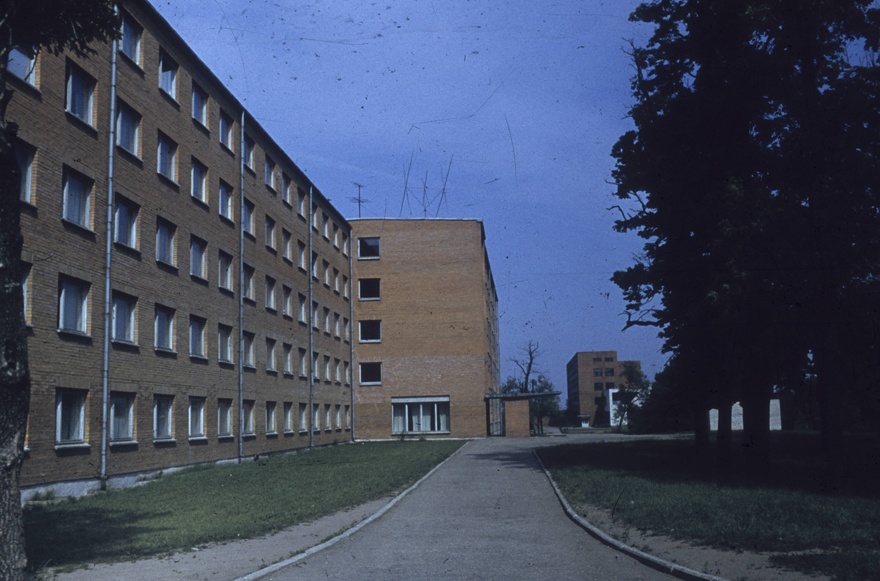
796 463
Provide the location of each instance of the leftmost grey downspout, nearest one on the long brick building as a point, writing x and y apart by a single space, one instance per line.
105 364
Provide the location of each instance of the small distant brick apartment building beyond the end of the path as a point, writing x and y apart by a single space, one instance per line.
594 378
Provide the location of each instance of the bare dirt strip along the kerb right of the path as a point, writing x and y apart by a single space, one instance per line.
737 563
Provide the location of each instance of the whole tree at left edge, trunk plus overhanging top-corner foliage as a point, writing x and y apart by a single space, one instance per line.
28 27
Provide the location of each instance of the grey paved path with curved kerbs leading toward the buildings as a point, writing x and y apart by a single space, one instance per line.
488 513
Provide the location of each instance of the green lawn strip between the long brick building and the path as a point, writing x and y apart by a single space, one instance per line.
220 503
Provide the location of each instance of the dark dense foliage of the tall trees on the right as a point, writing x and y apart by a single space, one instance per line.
751 176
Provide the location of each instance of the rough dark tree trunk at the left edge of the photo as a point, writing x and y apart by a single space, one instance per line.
14 374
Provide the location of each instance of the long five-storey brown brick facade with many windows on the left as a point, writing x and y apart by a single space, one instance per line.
187 288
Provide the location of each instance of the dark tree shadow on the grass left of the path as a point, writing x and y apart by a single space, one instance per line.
77 533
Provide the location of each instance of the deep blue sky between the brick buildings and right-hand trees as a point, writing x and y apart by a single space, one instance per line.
515 104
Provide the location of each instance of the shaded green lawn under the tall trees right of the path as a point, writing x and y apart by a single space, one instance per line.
658 486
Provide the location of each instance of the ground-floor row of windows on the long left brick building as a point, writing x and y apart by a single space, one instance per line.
70 415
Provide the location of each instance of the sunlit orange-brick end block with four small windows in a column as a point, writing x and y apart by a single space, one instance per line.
426 329
